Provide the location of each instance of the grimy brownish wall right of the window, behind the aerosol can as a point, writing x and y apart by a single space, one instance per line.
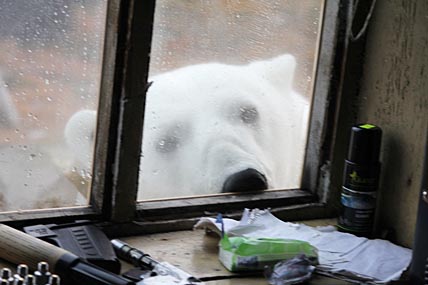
394 95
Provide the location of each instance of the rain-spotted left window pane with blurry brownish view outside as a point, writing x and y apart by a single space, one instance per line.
50 65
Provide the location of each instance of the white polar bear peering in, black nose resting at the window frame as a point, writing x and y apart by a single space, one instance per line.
215 128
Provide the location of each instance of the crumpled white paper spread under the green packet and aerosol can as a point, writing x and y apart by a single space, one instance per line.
341 255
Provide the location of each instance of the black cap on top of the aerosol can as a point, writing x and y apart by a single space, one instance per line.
364 145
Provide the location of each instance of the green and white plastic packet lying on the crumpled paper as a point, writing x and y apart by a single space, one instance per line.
243 254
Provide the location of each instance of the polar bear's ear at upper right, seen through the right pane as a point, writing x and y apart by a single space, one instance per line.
278 71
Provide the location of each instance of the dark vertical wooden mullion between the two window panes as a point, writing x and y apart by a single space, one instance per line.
130 109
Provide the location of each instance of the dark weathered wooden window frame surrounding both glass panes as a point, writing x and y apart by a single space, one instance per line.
119 130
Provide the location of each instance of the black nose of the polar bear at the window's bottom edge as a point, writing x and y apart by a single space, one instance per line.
244 181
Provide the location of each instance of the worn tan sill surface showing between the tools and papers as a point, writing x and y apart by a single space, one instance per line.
197 253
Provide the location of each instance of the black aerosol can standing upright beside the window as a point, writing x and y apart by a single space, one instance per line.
361 180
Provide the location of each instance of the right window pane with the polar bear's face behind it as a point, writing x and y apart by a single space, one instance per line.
229 104
